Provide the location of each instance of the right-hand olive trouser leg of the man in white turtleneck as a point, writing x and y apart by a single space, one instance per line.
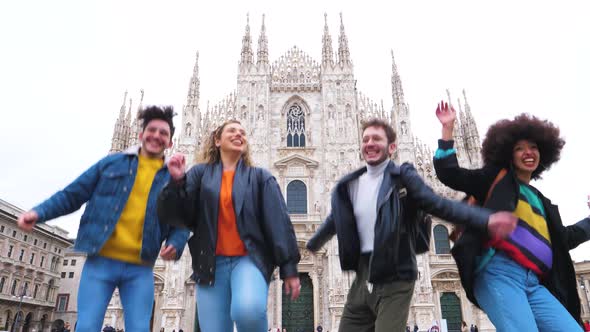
393 305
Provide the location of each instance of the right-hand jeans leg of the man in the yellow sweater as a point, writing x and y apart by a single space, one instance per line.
137 296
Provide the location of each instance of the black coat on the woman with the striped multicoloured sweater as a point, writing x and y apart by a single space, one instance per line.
561 281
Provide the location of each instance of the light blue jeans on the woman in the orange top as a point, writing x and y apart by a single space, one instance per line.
238 295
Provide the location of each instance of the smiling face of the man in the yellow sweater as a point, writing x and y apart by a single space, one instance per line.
155 138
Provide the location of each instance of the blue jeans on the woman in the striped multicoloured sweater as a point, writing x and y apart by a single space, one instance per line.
514 300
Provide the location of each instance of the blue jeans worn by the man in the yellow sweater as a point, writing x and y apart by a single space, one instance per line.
100 277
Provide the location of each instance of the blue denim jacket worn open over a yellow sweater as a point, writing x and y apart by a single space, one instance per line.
105 187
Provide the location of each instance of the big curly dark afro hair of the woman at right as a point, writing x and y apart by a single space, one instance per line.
502 136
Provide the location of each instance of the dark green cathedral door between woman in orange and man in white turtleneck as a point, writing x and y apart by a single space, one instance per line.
298 315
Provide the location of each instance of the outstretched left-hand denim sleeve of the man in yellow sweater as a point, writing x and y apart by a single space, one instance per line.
72 197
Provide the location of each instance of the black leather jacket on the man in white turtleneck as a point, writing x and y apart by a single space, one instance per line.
394 256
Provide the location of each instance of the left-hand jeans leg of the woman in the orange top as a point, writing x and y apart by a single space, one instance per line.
214 301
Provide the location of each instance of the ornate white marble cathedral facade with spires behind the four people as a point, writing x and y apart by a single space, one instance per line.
303 119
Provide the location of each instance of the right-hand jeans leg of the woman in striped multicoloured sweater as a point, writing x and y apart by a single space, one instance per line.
550 314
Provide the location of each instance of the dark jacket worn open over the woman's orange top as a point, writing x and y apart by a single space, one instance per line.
261 217
